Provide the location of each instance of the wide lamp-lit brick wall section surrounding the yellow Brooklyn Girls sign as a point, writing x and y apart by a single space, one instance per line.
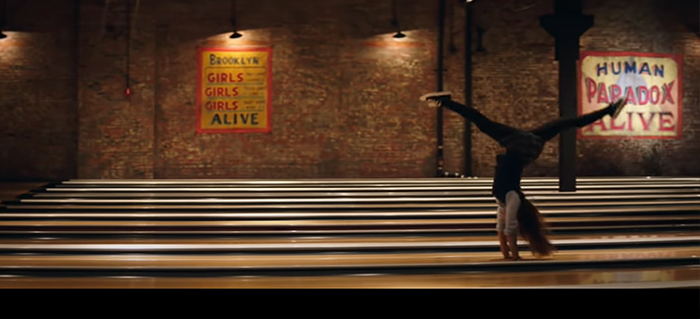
345 101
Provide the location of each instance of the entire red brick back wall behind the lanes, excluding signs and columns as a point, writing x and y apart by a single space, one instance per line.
345 94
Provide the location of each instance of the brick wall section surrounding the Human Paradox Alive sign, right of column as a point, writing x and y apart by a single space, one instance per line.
648 26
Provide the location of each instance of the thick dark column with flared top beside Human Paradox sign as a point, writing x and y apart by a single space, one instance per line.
566 25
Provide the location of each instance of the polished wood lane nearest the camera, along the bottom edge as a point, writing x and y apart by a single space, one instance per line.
652 278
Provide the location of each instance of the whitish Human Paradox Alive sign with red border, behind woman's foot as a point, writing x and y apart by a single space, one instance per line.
652 84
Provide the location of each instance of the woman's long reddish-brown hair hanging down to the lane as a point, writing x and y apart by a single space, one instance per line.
533 228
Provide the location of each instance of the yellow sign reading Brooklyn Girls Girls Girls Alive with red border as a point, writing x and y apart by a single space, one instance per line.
233 90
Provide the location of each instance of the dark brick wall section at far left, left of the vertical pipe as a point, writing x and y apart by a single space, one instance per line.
38 136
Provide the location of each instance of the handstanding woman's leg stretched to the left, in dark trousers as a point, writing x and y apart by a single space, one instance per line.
495 130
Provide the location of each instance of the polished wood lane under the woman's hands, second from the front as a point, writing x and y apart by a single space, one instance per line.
330 261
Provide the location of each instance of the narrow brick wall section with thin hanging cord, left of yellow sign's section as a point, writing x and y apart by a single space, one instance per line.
116 132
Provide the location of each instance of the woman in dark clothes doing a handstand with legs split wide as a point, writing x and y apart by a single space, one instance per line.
515 214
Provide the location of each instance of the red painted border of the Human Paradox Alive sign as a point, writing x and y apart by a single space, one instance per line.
678 58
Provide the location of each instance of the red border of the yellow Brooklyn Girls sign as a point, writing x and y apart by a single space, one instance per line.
267 49
